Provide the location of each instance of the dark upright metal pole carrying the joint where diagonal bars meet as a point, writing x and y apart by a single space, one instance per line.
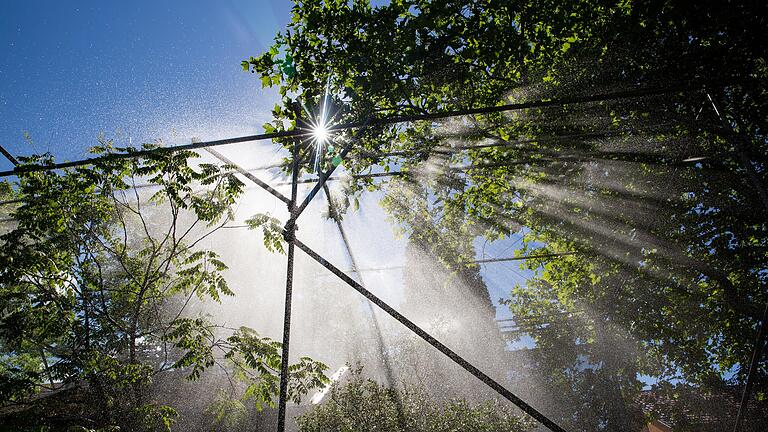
290 237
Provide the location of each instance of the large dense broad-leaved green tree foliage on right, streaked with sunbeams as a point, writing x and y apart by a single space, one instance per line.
652 193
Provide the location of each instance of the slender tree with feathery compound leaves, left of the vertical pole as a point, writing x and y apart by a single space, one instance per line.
102 281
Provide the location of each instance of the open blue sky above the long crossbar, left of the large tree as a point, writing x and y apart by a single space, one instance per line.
137 71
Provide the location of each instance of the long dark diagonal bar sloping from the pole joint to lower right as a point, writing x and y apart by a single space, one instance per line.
551 425
